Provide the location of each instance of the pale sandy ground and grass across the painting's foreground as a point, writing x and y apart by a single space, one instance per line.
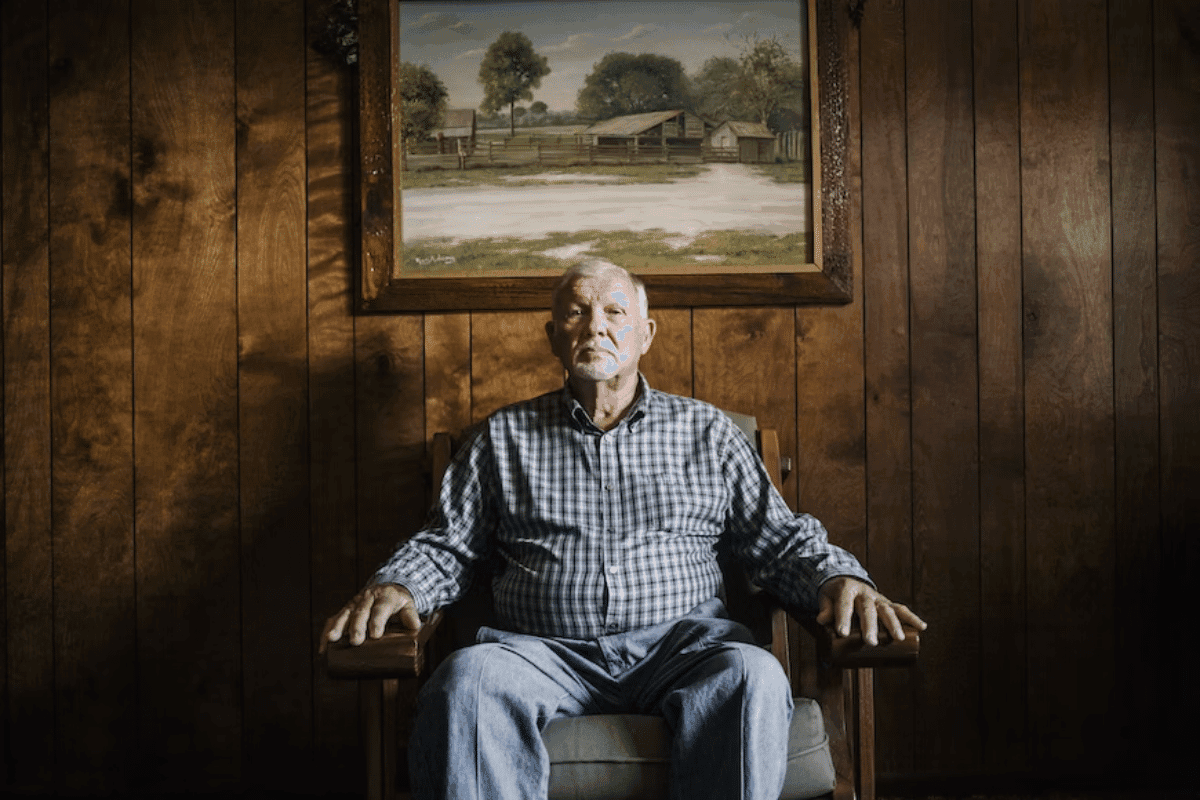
665 218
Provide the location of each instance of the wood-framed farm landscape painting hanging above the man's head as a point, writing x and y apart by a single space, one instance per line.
701 146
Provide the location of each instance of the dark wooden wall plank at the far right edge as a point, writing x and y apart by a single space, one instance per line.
1178 164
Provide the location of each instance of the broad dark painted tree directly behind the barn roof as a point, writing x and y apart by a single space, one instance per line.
623 83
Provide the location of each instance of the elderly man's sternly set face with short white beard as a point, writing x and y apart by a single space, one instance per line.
599 332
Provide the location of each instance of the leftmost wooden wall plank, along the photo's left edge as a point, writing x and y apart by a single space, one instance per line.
29 619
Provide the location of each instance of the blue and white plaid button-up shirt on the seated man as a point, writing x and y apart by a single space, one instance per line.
598 533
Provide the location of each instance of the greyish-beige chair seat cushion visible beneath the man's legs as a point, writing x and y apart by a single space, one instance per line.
617 757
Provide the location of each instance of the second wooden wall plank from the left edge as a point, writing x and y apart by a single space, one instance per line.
92 398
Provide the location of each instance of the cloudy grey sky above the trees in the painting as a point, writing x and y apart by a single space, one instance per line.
574 35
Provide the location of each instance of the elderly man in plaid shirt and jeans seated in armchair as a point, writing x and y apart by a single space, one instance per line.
605 504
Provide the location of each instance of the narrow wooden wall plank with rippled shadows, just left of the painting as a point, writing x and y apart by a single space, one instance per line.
332 461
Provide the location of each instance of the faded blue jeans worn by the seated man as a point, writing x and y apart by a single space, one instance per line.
727 701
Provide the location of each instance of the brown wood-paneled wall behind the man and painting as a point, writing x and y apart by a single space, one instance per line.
206 453
